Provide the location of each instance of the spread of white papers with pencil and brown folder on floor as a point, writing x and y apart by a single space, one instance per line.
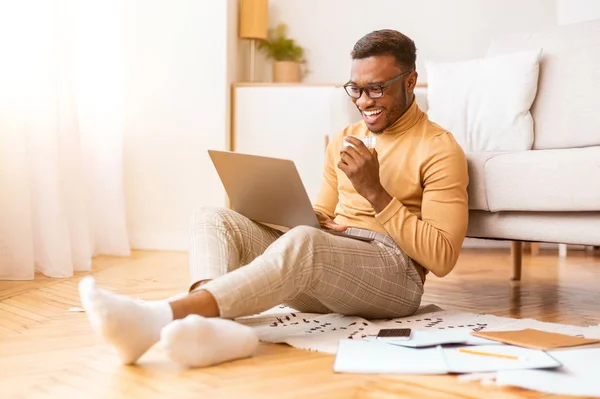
533 361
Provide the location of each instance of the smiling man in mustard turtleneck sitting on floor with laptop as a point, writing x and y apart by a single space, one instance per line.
409 195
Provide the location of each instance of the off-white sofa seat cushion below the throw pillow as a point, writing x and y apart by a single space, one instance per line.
544 180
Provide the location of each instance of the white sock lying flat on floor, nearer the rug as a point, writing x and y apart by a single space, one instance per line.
199 342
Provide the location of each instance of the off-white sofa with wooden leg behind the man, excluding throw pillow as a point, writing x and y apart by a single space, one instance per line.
550 193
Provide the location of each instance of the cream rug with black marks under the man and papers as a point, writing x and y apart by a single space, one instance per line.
322 332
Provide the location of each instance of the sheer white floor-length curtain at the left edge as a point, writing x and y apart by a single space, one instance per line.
61 132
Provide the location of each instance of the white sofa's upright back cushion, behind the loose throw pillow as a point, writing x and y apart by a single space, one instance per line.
565 111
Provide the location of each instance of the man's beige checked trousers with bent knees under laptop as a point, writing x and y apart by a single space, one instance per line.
255 268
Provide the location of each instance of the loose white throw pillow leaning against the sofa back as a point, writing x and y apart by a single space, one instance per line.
485 102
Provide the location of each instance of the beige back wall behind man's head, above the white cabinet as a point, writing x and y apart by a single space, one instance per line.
442 29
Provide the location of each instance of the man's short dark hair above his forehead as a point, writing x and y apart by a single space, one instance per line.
386 42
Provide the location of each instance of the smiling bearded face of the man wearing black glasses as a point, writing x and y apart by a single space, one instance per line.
380 113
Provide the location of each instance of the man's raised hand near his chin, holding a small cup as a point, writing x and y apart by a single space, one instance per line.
362 168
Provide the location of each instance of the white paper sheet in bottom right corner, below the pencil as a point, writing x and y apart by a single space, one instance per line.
579 375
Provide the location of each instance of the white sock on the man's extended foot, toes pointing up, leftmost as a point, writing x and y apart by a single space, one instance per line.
131 326
